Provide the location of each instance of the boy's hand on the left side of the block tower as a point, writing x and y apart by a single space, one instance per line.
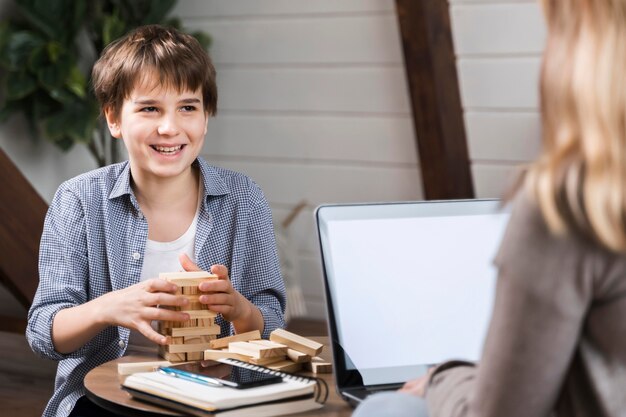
135 307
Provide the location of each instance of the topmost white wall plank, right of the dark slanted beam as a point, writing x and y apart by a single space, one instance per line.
511 28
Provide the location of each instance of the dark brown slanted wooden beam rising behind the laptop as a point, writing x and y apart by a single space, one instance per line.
434 91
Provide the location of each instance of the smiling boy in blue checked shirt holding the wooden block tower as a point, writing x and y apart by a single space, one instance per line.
109 232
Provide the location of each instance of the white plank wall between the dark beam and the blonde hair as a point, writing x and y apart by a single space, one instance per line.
498 44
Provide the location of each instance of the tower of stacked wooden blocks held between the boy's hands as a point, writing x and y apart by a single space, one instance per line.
188 340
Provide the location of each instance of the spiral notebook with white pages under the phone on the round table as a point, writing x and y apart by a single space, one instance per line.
293 395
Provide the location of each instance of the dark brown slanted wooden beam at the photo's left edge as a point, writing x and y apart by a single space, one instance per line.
22 214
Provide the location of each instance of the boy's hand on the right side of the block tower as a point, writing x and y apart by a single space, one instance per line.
219 295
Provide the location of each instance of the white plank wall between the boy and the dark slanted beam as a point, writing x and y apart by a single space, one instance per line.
313 105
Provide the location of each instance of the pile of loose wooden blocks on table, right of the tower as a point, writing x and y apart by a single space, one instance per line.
285 351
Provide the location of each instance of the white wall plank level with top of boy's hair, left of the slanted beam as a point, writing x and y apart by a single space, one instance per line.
315 41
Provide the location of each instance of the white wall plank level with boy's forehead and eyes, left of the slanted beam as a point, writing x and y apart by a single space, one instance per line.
322 90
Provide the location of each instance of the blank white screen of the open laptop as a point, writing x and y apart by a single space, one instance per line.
413 290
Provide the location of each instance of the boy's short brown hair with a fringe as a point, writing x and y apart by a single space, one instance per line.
178 59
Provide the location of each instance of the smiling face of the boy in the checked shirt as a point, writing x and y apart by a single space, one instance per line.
163 130
